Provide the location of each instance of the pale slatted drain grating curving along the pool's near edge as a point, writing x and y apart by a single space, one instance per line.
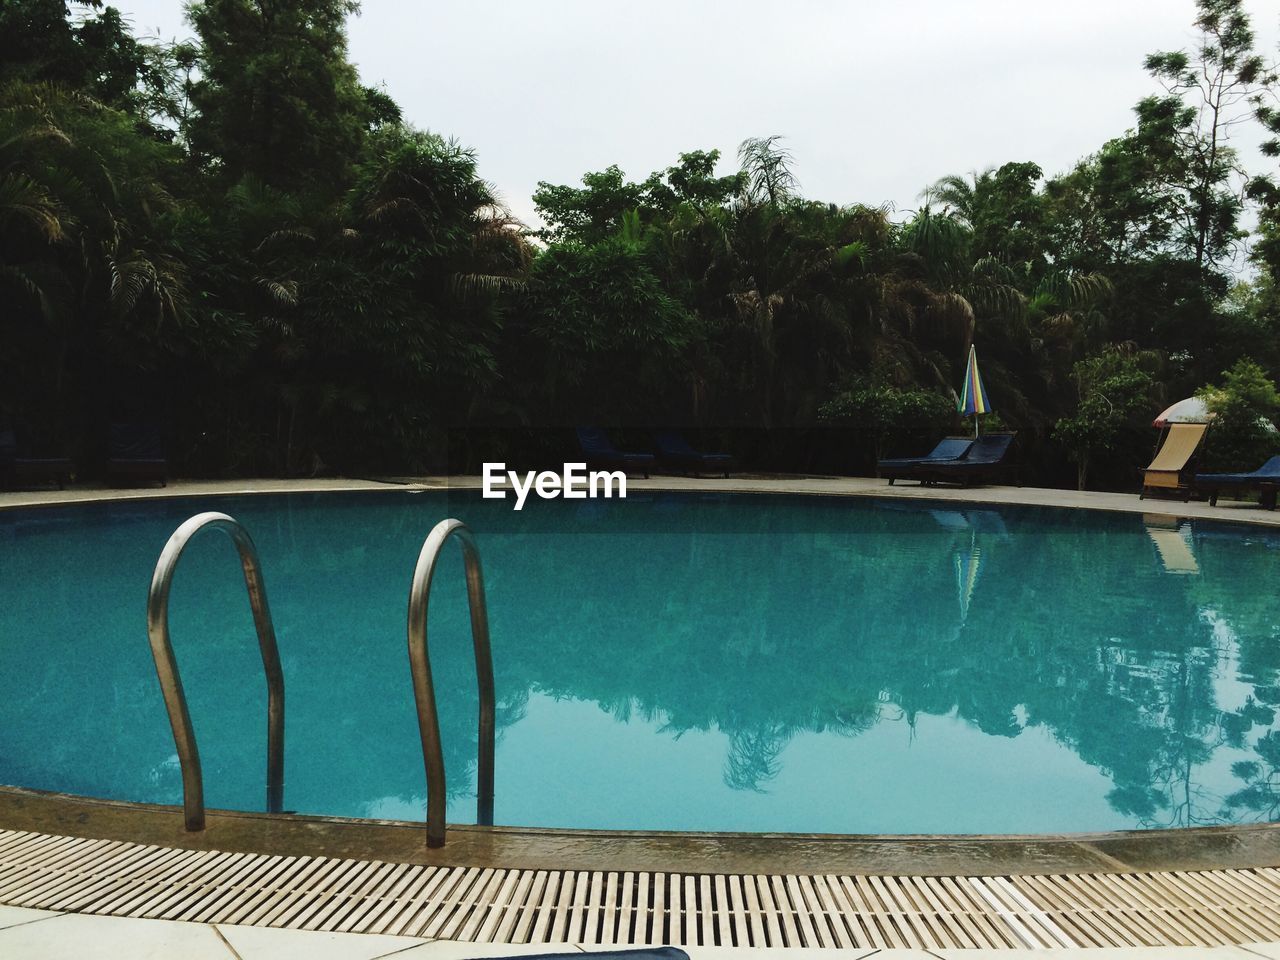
583 907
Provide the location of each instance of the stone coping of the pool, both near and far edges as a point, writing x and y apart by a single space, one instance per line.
1178 849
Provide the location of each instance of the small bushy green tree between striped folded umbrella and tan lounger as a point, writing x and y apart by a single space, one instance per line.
1114 395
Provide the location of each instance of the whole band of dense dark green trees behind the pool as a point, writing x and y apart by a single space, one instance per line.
236 236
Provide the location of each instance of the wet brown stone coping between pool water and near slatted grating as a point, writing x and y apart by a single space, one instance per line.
543 848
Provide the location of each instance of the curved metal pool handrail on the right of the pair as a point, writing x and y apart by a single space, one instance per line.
424 693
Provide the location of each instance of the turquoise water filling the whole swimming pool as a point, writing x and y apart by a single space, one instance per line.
670 662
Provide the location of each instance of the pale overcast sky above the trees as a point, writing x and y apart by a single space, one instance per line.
876 100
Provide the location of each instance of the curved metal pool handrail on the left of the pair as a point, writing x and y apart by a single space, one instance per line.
171 682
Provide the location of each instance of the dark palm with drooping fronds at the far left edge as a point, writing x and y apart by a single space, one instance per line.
94 286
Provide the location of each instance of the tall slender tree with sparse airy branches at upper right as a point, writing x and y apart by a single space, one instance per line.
1158 211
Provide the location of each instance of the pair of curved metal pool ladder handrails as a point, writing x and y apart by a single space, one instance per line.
419 655
